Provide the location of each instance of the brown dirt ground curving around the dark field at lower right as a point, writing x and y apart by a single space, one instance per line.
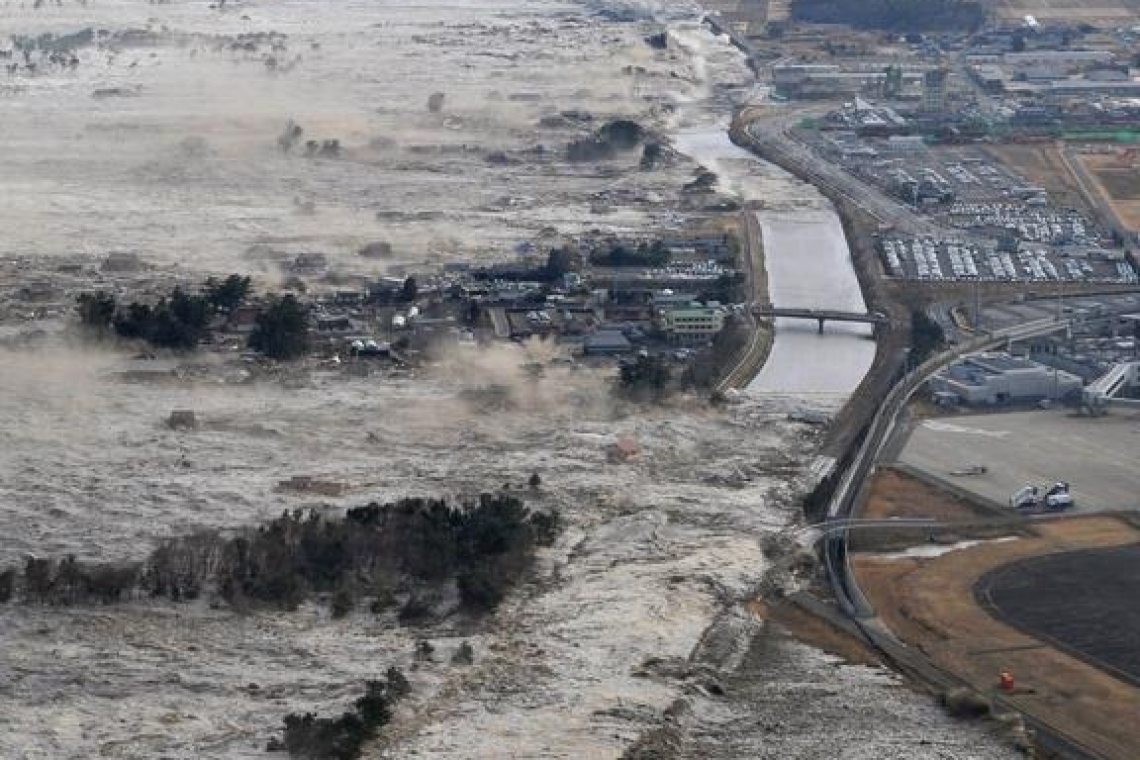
931 604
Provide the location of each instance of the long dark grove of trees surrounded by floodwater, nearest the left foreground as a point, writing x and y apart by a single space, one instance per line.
412 547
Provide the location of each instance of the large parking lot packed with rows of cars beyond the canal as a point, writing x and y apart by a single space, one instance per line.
1011 231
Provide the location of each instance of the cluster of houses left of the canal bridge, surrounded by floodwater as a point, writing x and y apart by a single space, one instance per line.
596 312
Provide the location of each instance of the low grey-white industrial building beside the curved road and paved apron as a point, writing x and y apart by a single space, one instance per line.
996 379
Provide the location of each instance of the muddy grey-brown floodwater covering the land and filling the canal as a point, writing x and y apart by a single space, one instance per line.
160 134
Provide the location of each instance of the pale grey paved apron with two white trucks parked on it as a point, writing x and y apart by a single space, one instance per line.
1096 456
